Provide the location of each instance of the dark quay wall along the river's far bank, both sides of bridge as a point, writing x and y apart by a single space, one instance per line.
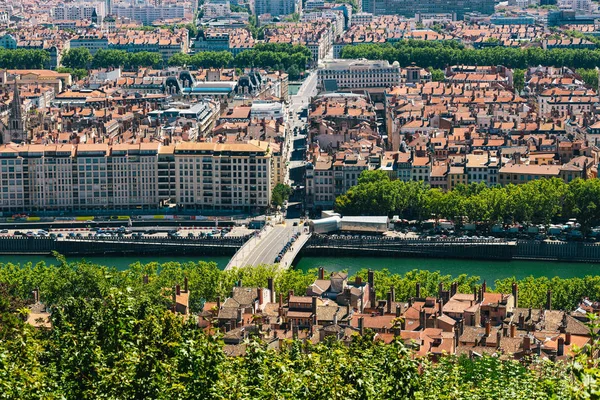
317 245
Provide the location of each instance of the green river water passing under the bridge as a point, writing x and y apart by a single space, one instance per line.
489 270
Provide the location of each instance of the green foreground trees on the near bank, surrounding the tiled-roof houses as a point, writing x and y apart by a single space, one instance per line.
113 338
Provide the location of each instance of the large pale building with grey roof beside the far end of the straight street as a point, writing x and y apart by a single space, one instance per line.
355 74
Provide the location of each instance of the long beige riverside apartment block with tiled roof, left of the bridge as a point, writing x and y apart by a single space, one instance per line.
123 176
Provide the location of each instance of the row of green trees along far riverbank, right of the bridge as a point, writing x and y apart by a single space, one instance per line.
539 201
